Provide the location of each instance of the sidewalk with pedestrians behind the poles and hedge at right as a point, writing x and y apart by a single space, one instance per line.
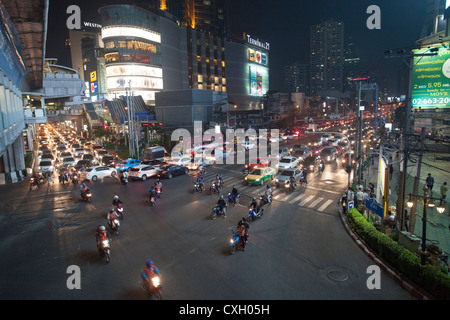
438 231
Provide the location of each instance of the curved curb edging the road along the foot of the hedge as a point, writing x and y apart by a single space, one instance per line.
414 290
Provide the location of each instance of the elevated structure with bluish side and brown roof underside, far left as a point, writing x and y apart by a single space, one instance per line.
23 29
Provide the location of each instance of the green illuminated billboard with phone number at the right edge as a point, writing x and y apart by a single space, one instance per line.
431 79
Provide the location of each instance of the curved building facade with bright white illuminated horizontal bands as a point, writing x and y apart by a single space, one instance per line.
132 41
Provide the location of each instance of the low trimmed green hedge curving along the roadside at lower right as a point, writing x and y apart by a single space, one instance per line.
405 261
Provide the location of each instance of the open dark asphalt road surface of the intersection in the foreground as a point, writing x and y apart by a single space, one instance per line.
298 250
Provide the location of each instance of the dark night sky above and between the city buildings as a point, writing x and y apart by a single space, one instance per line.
285 24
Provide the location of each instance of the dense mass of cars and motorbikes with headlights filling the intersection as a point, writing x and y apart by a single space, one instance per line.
80 163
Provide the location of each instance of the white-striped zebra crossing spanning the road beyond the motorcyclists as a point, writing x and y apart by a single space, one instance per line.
299 197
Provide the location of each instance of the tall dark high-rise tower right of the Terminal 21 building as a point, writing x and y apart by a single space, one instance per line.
326 56
